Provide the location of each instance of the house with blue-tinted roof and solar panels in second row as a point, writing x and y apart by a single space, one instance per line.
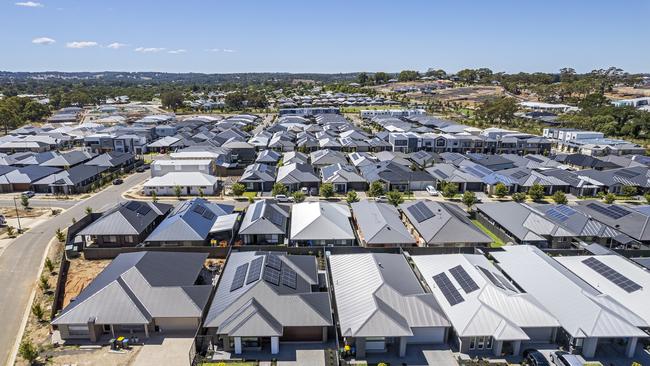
195 222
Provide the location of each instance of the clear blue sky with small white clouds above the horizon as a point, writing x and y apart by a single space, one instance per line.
323 36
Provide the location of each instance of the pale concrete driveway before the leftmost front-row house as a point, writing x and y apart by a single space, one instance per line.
170 350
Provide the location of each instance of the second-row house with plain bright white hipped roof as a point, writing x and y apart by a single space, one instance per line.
321 223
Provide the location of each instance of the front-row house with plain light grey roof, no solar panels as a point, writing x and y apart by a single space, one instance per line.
381 305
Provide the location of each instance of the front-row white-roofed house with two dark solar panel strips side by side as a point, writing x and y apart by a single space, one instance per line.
489 314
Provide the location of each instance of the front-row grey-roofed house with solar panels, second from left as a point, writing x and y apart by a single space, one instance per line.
264 299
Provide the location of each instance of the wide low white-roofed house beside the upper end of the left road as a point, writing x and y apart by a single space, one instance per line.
189 183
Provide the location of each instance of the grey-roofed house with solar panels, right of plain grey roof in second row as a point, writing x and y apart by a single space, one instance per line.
442 224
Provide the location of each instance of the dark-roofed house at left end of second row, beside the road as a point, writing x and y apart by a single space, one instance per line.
126 224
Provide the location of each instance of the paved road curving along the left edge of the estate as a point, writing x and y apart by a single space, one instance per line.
20 262
